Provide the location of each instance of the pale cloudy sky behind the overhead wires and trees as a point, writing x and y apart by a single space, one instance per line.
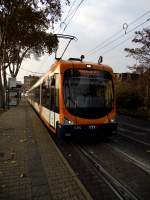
102 27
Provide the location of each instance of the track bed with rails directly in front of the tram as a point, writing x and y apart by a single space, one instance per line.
107 171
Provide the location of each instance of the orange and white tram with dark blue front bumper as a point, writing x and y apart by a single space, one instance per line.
76 98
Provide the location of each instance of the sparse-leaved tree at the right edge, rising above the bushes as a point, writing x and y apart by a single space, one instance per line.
142 55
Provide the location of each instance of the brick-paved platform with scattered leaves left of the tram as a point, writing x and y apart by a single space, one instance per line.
31 165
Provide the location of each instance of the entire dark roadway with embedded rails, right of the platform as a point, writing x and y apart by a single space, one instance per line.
115 168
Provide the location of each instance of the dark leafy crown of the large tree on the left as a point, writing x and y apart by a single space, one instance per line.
23 31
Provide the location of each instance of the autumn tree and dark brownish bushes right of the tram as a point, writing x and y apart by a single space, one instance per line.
134 96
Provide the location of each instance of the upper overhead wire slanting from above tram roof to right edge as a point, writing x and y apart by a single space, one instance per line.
115 34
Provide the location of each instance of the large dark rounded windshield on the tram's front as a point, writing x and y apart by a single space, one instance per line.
88 93
